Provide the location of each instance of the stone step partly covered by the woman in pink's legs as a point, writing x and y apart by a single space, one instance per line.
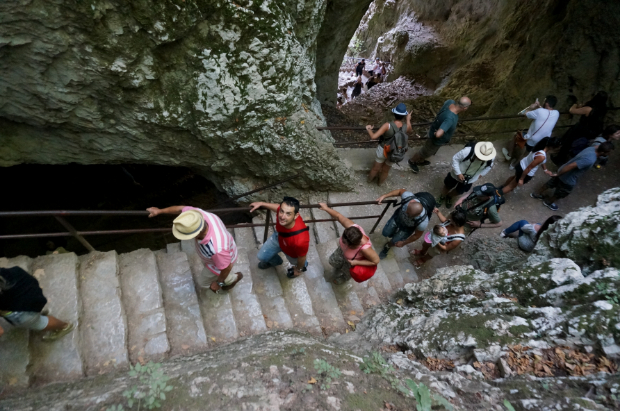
346 295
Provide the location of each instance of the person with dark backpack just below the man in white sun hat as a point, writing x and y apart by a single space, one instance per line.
483 203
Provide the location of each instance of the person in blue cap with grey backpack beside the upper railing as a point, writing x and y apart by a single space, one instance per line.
393 143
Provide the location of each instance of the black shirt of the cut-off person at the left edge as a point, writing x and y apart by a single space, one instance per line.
23 293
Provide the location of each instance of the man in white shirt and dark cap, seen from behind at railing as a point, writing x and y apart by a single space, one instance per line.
544 119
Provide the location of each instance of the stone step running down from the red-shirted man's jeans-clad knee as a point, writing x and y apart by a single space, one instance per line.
270 295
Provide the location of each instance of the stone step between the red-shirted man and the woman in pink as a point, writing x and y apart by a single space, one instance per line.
322 295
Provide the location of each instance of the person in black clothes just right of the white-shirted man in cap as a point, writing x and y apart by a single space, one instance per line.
589 126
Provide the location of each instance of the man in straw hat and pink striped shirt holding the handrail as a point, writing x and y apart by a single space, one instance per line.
214 244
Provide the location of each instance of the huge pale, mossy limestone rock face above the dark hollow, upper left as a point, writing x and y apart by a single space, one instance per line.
225 88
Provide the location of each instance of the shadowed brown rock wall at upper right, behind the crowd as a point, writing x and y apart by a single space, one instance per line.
502 54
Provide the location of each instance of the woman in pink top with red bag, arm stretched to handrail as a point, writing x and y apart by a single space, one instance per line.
354 250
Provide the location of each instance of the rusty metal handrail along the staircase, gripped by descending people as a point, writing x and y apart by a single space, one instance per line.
79 235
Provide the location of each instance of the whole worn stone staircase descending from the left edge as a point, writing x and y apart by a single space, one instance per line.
144 305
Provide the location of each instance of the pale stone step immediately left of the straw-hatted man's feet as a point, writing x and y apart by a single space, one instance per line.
186 332
